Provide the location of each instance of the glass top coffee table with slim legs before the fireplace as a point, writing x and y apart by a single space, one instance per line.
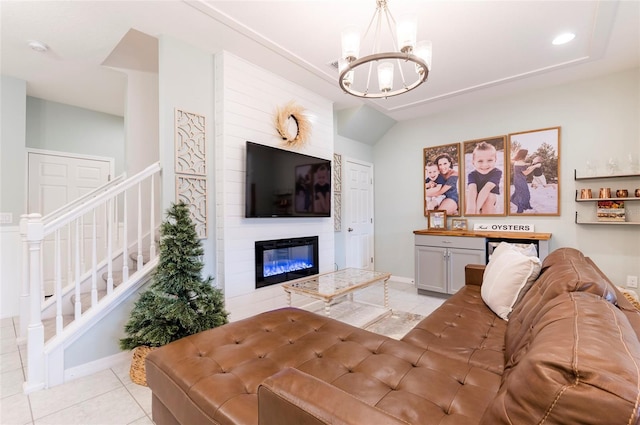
329 286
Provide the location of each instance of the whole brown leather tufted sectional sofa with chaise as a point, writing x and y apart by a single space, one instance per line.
569 354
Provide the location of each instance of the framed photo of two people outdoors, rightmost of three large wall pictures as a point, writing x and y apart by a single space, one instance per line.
534 176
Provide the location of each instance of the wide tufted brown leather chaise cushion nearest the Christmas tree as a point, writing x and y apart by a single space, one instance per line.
213 377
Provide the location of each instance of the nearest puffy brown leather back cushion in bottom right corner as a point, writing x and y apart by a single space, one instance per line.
581 365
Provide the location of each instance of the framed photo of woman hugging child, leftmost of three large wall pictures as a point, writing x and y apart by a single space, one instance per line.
441 183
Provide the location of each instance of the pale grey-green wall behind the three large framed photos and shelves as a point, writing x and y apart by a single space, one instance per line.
599 119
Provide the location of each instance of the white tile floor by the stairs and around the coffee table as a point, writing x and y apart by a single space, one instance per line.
109 397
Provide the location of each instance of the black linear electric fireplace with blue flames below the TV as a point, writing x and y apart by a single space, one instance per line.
285 259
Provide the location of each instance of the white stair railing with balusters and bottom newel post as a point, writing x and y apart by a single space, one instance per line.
69 247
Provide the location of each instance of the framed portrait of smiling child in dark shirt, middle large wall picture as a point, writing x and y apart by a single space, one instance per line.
485 170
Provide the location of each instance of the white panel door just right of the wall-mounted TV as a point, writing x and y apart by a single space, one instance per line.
359 215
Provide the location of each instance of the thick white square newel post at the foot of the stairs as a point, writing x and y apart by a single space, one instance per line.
35 328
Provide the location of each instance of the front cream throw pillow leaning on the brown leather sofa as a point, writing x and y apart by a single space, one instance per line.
508 271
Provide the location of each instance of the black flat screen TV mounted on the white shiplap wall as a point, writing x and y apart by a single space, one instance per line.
281 183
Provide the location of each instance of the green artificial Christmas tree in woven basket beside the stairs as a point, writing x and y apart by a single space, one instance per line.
179 301
